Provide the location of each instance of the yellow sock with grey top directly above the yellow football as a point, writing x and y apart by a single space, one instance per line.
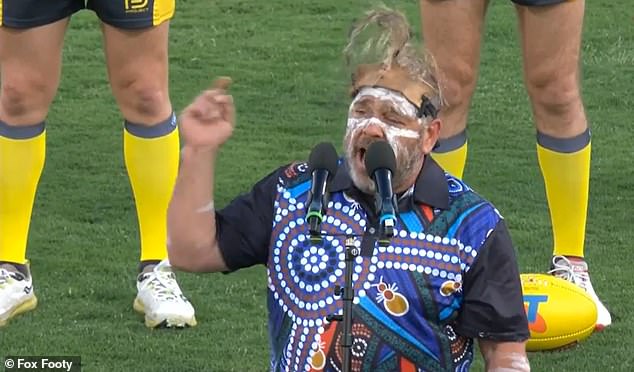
565 166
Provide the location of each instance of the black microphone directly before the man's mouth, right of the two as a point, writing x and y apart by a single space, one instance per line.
380 164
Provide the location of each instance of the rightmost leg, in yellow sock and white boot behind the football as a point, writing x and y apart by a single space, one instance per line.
551 42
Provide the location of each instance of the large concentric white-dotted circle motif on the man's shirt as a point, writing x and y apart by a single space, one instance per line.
303 275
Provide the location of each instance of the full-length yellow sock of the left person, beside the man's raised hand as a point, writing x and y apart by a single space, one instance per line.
151 158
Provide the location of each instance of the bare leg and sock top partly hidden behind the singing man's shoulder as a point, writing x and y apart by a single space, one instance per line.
452 32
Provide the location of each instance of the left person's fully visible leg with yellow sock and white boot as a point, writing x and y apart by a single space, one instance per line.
136 46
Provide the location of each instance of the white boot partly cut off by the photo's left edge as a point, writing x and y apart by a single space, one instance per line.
16 293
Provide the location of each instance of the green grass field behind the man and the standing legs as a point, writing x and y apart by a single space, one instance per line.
289 88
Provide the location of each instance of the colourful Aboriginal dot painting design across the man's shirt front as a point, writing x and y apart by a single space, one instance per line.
419 273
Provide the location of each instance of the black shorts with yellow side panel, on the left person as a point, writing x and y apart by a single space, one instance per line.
128 14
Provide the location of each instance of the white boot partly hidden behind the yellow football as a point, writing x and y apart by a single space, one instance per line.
575 270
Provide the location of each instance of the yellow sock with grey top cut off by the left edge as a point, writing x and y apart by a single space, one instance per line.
22 152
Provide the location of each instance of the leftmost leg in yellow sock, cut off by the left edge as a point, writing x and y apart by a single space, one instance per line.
30 63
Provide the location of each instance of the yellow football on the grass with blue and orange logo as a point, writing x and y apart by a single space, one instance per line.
560 314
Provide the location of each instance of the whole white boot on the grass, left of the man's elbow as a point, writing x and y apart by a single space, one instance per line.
161 300
